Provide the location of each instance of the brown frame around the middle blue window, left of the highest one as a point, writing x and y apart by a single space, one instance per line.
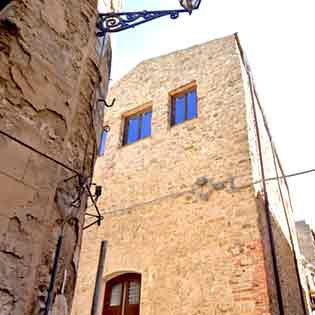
146 107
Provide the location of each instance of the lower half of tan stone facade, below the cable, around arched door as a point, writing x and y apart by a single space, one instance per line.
194 256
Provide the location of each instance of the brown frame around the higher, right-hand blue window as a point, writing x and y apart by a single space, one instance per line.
183 90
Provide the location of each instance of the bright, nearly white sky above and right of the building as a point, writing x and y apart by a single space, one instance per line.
278 37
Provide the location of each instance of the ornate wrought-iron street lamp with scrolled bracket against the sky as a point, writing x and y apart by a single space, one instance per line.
117 22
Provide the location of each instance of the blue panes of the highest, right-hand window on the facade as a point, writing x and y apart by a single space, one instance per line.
184 106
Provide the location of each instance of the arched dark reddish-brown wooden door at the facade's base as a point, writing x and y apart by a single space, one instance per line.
122 295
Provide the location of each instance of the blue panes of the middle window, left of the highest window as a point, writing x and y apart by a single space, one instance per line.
137 126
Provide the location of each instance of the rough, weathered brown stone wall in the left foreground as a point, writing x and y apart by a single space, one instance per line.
48 73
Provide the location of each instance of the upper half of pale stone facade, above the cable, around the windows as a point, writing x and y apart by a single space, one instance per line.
172 158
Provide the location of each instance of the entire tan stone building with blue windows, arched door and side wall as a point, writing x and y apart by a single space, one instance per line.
183 202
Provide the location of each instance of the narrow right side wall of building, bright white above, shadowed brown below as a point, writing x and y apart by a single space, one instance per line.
287 253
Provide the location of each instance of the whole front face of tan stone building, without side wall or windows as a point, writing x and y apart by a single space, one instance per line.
173 203
